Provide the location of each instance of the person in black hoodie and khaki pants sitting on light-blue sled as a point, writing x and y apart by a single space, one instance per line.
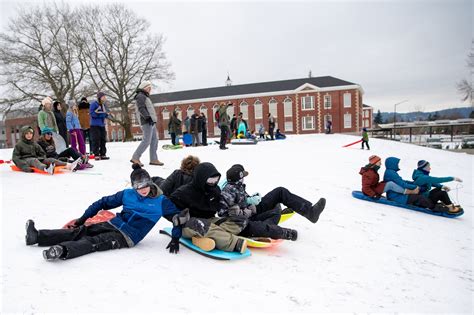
202 198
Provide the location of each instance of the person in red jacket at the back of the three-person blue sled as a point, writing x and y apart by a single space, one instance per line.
370 181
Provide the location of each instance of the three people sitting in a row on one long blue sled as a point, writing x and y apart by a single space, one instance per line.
424 191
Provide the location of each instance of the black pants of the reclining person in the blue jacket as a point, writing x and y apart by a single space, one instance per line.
84 239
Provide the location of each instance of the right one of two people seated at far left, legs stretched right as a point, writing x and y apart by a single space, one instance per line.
47 144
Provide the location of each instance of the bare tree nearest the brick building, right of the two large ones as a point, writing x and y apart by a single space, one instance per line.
120 54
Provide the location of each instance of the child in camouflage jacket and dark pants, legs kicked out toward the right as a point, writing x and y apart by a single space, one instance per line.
272 200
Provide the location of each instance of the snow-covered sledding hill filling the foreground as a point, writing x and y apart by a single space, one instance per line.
359 257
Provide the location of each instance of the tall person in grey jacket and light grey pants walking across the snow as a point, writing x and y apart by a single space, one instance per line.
146 111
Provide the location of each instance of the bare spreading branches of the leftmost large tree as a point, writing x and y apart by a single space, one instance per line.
39 57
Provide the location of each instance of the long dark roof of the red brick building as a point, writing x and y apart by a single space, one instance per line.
251 88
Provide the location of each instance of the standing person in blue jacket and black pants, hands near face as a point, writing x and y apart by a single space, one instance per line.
98 113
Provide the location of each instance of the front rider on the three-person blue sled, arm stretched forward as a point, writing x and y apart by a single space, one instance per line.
421 177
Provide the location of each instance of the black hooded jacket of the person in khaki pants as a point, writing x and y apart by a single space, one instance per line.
201 199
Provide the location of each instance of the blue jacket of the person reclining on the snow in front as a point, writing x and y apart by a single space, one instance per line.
139 214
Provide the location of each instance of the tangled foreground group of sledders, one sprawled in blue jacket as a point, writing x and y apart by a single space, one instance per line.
212 213
